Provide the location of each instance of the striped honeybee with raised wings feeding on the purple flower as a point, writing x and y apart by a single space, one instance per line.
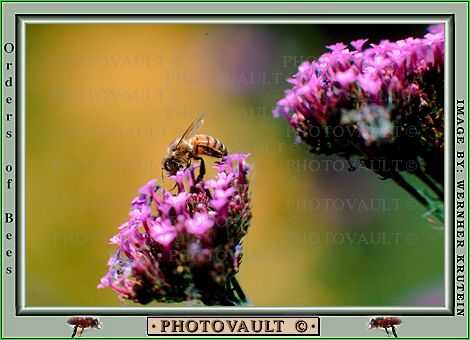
192 146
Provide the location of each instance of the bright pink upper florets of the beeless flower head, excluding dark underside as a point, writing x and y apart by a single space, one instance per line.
349 78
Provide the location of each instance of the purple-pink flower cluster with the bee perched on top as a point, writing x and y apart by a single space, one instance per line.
186 245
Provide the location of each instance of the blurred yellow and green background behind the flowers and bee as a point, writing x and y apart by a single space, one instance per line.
105 100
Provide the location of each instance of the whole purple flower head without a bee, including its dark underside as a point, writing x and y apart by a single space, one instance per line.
379 102
